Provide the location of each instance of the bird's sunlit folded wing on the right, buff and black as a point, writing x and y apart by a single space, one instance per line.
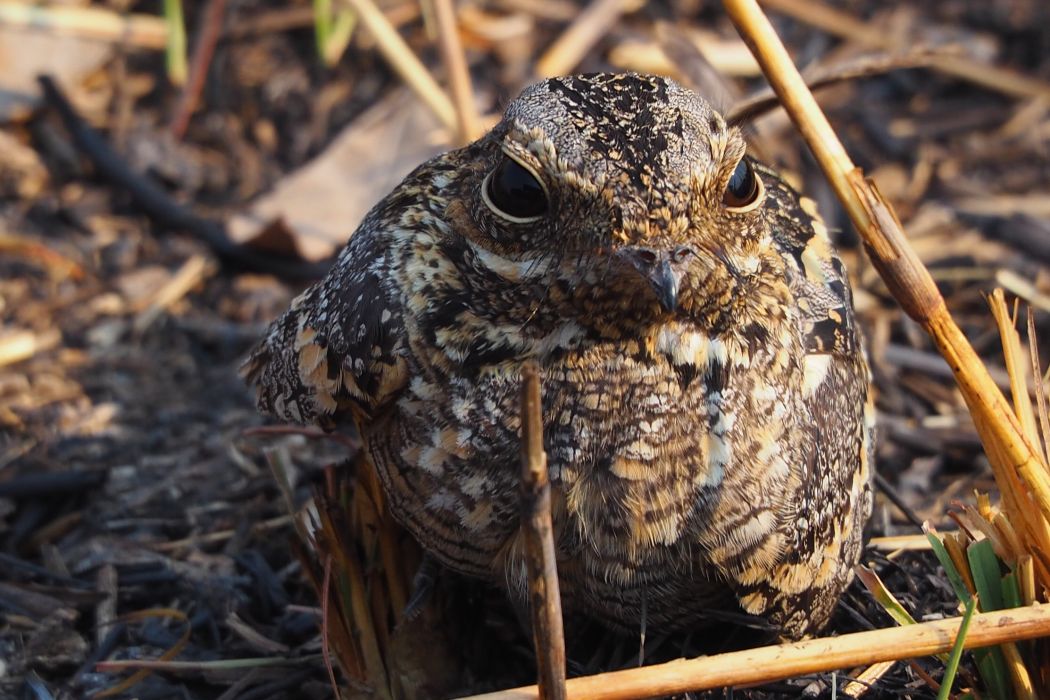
836 459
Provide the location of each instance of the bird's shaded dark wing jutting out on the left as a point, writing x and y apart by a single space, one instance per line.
342 347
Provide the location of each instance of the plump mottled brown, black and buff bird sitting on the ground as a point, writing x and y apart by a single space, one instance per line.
705 393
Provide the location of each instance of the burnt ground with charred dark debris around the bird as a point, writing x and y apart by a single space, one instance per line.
128 481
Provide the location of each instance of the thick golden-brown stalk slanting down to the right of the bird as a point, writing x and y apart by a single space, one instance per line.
893 257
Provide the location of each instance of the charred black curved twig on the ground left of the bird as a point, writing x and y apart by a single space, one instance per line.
159 206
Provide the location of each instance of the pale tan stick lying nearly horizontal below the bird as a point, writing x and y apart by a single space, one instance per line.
770 664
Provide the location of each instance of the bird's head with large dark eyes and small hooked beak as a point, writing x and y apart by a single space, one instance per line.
633 186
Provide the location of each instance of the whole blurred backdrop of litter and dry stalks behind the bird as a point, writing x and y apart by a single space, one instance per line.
186 168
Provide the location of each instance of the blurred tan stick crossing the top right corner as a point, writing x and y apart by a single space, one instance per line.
844 25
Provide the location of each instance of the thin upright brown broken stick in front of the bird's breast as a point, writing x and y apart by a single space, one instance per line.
545 602
